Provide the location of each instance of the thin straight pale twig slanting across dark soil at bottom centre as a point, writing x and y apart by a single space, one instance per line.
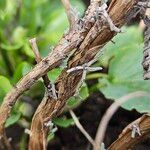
80 127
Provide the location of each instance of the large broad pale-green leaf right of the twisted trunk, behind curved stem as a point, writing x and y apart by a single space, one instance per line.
126 76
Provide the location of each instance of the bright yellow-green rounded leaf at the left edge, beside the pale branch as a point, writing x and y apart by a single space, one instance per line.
5 86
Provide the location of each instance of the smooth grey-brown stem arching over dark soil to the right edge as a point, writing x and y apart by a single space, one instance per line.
110 112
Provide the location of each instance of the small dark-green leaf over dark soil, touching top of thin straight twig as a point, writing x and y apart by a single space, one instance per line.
63 122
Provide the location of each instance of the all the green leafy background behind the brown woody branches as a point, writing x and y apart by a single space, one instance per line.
46 20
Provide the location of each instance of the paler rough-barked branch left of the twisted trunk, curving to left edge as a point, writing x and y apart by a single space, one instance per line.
68 42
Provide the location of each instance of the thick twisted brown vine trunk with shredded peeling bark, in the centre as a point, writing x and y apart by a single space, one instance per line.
99 34
